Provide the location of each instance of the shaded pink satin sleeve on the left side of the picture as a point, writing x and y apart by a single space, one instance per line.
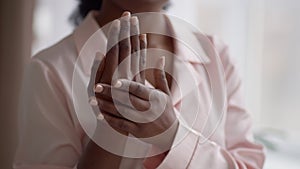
47 136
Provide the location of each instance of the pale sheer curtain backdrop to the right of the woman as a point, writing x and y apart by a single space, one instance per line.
263 39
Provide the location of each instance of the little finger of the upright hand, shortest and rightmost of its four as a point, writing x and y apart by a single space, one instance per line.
143 54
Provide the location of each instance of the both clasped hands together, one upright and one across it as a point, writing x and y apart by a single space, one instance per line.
125 102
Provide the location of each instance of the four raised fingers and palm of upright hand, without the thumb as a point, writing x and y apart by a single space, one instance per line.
123 51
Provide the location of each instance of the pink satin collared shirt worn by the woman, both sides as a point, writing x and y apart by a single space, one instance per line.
51 137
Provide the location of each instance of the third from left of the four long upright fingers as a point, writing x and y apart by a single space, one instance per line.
135 42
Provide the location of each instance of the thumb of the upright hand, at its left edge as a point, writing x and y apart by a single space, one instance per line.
96 72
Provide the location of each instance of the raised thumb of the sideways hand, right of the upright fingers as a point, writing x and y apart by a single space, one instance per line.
160 76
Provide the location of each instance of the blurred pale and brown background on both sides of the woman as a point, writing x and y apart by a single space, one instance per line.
262 35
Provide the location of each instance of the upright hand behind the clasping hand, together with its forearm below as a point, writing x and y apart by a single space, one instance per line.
104 67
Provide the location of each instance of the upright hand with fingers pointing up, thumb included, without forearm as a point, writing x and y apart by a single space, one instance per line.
118 60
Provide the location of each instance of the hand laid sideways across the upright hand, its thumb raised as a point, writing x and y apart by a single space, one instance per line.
155 102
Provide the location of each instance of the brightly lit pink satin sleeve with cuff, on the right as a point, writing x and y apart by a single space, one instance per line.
240 151
